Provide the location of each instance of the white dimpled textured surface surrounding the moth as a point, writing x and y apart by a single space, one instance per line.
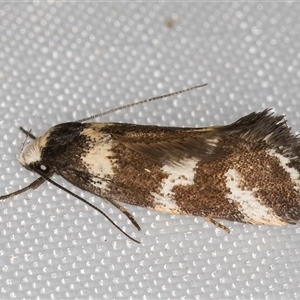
64 61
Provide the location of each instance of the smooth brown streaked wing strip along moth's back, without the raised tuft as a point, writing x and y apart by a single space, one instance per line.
167 144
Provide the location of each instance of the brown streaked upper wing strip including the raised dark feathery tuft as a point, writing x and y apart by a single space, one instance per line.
170 145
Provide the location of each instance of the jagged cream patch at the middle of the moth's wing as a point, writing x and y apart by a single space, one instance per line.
179 174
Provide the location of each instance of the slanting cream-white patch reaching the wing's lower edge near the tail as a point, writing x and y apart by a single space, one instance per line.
249 205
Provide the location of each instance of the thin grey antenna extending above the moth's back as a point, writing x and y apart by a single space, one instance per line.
140 102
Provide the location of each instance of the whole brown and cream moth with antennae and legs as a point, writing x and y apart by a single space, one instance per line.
247 171
